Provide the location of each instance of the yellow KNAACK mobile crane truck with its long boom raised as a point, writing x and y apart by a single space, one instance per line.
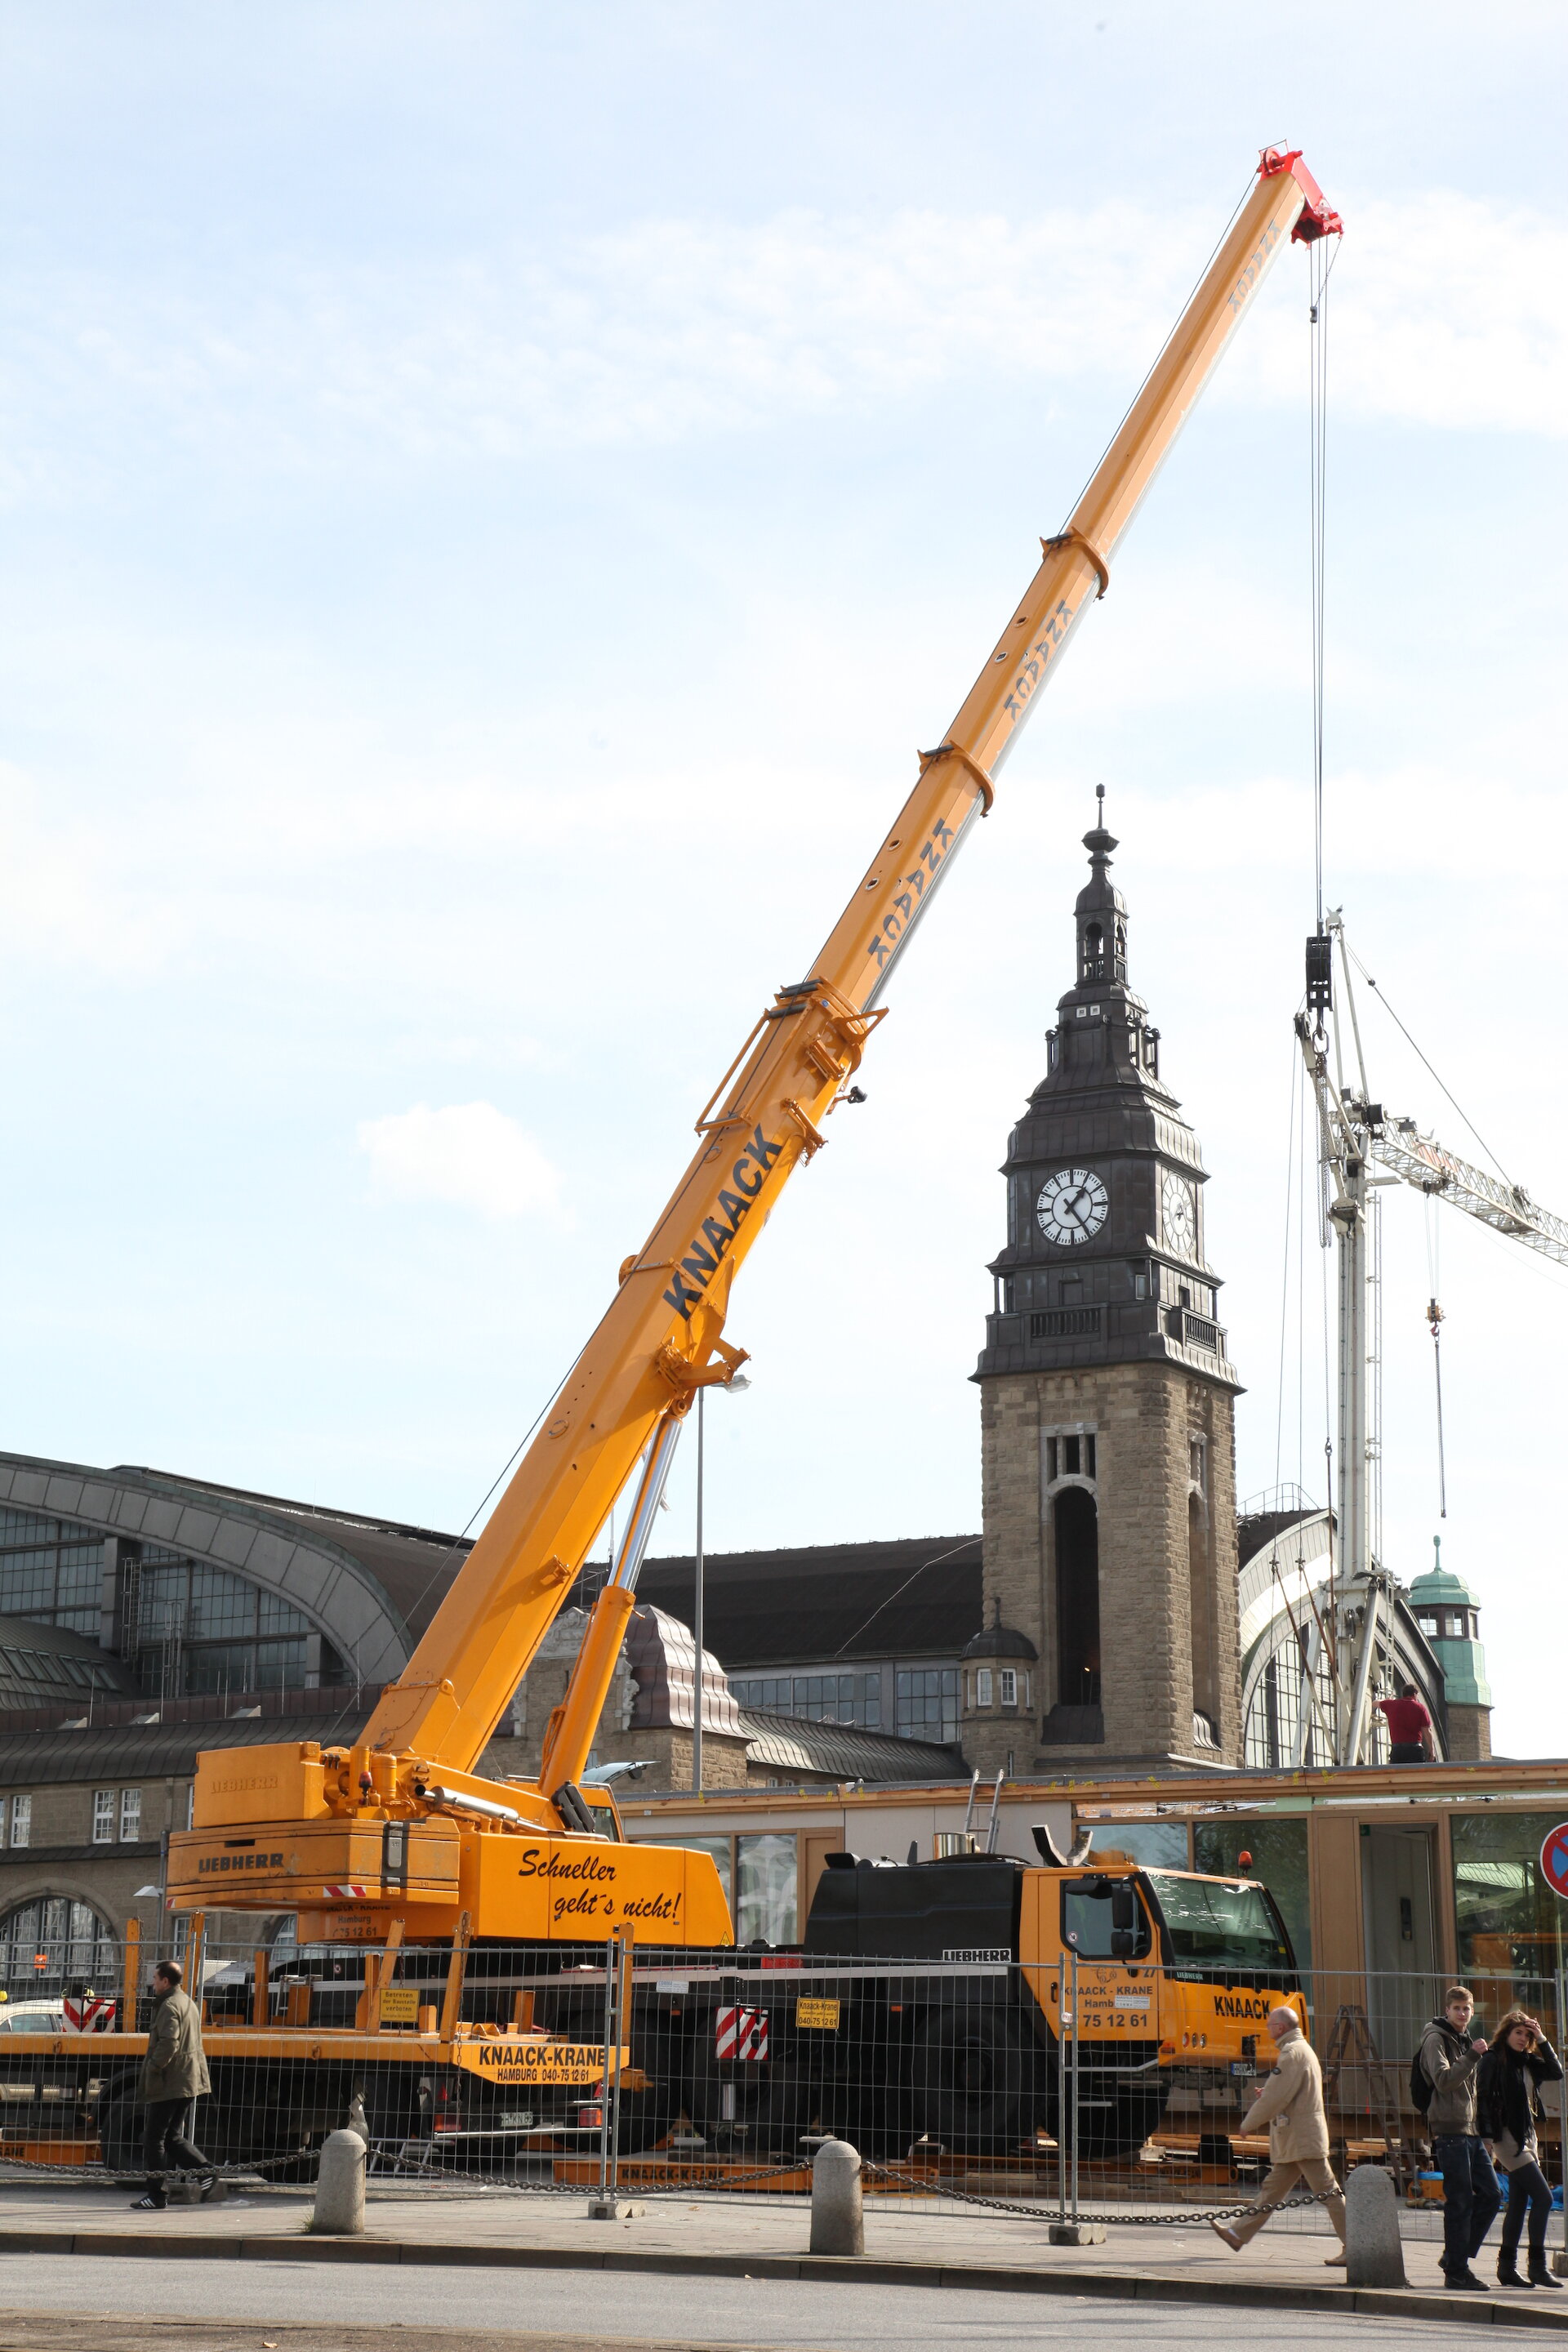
398 1845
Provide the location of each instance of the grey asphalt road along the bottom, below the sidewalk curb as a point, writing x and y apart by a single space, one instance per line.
55 2304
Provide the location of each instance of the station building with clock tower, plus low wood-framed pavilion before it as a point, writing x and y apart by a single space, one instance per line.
1118 1645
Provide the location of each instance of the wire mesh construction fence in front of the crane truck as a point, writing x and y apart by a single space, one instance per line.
1078 2090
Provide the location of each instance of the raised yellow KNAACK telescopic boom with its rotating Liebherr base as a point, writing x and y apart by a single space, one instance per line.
664 1332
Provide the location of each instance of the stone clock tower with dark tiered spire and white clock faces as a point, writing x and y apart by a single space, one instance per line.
1106 1408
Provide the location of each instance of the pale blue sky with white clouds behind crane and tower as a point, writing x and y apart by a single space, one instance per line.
492 502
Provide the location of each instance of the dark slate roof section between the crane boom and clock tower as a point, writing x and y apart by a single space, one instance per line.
829 1601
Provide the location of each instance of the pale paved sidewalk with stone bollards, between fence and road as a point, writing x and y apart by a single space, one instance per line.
725 2238
